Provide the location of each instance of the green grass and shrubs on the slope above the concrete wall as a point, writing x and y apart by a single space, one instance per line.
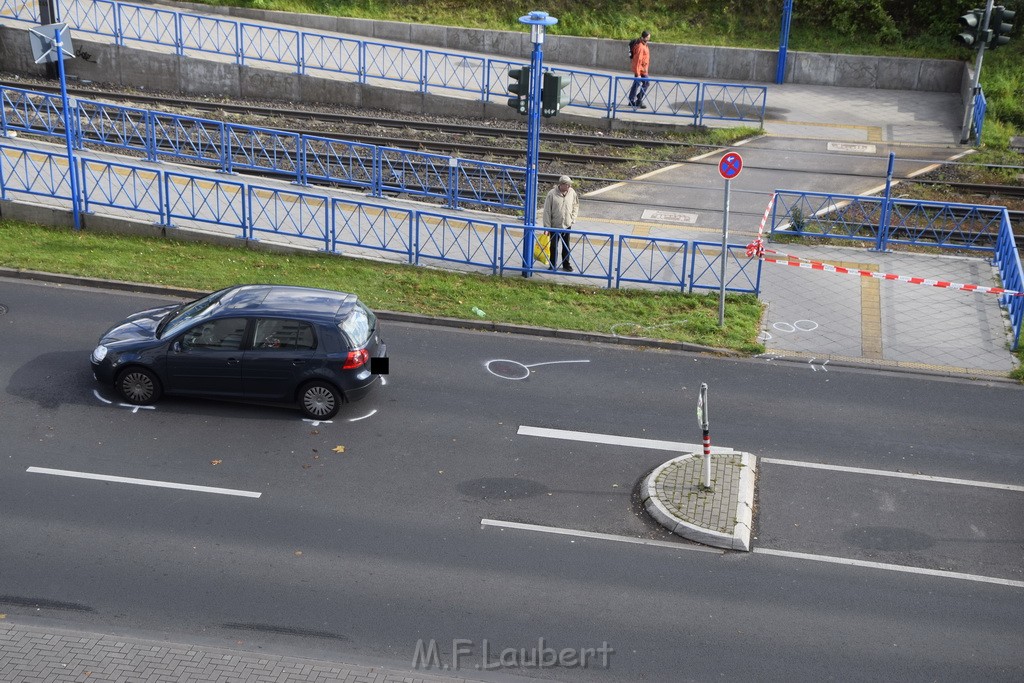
892 28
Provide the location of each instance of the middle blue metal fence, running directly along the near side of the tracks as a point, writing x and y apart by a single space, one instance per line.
455 182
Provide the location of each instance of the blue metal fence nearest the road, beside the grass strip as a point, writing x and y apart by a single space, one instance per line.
288 217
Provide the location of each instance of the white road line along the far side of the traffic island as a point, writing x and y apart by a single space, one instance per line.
676 447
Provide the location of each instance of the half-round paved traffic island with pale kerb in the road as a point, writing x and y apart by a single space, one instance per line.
723 517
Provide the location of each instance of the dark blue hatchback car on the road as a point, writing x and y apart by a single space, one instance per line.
308 348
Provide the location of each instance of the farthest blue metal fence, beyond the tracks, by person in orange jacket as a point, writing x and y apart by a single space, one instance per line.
367 61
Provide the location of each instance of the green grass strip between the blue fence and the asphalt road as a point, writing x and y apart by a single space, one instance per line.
669 316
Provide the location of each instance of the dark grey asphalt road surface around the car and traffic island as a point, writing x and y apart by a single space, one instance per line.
367 534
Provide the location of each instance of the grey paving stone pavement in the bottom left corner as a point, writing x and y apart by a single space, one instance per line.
34 655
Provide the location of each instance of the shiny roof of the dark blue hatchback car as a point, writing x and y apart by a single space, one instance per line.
287 302
